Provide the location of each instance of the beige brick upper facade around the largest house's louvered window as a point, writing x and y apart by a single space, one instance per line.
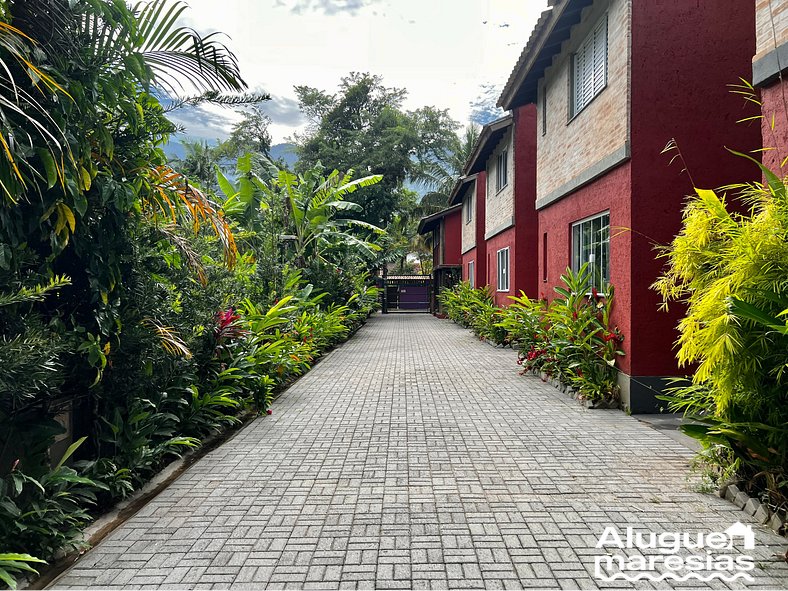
569 146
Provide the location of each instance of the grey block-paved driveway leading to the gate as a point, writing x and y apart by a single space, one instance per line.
415 456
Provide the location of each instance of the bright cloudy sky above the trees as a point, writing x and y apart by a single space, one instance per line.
446 53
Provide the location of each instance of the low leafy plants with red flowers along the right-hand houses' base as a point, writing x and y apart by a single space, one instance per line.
571 338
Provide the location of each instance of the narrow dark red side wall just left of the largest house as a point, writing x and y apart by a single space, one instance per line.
525 266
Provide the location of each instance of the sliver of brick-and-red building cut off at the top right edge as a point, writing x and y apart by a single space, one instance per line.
769 67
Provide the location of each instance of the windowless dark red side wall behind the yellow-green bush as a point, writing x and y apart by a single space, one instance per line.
684 54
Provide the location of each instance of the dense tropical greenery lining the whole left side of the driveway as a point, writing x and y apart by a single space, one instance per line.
147 309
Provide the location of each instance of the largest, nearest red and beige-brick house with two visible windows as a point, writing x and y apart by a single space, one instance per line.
614 82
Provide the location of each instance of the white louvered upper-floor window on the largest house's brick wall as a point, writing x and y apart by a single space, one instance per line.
589 68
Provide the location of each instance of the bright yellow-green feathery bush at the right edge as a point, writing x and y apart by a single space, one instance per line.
731 271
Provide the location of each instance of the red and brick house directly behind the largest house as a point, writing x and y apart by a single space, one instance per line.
504 160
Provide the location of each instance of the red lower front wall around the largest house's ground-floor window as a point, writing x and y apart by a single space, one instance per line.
609 193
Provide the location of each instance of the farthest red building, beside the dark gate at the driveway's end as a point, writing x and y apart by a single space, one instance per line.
445 228
